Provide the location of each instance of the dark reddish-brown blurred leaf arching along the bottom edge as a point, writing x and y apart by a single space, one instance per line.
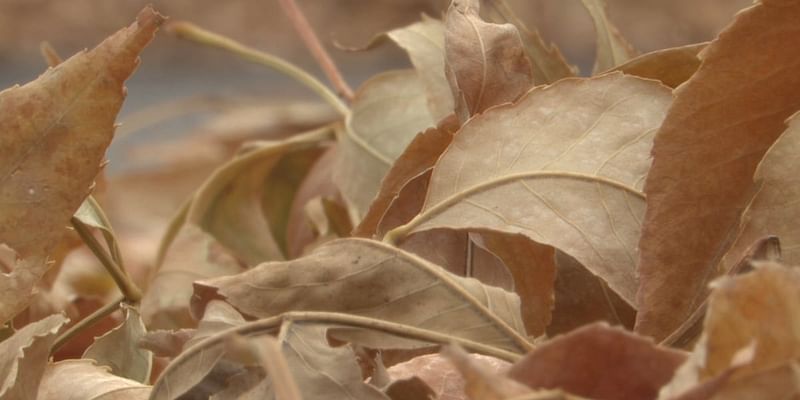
632 366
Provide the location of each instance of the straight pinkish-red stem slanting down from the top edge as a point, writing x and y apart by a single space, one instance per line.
311 41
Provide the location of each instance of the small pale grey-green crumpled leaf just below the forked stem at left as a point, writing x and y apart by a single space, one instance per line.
119 349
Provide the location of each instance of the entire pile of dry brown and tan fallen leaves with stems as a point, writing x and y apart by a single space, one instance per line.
485 225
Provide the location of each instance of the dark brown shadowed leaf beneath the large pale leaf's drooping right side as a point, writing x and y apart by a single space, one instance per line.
582 297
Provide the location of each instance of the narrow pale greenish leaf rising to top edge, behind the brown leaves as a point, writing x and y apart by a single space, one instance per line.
612 48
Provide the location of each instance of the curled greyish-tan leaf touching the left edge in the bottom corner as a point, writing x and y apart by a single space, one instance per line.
24 355
